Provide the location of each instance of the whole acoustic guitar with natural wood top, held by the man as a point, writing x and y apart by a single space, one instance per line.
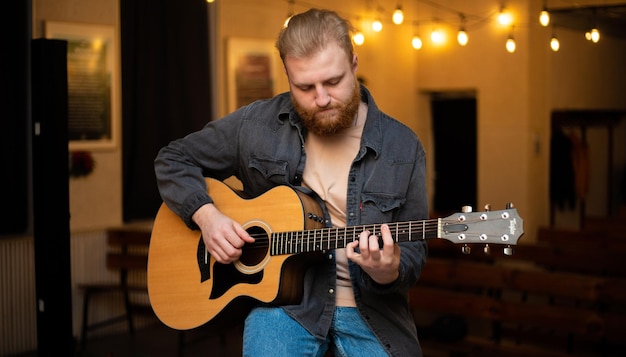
188 288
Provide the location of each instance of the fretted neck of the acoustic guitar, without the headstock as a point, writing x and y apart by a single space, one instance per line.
336 238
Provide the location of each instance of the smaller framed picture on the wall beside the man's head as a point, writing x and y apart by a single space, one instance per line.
251 66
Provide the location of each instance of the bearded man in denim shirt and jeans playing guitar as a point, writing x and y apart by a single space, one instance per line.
327 136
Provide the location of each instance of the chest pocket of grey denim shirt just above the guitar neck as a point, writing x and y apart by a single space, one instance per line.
380 207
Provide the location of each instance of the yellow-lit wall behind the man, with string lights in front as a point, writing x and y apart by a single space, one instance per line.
515 92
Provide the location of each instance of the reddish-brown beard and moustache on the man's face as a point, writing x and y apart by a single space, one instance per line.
326 124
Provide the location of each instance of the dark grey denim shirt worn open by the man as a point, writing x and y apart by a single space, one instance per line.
262 144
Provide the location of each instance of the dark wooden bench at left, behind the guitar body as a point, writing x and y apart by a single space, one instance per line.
127 252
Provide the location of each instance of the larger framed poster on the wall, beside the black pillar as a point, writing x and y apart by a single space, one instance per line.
93 83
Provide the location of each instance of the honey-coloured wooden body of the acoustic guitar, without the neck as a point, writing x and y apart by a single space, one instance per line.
188 288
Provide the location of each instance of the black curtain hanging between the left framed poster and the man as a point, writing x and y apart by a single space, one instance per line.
165 89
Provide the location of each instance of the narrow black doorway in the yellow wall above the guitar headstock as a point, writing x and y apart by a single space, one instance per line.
454 133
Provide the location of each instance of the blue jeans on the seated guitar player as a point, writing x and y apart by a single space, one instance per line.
270 332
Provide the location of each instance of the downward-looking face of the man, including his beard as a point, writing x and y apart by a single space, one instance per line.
324 89
